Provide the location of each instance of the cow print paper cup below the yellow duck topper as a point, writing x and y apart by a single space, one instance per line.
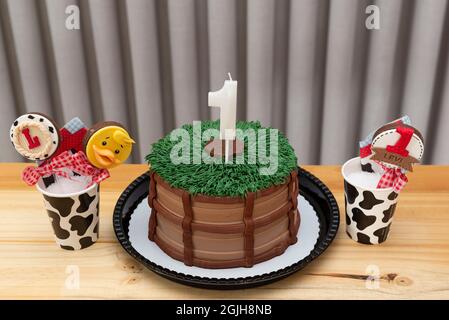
74 216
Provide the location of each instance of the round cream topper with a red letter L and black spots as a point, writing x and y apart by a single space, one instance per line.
35 136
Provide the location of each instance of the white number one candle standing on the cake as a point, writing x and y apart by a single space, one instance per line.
226 100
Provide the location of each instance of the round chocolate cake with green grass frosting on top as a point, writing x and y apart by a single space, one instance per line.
223 215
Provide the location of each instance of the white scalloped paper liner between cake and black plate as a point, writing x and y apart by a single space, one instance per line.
308 235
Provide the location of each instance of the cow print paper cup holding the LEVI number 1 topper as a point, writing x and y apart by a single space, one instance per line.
369 211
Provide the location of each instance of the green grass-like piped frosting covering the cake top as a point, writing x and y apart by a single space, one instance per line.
269 165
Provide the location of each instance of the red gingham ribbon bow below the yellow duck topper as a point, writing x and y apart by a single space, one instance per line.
75 162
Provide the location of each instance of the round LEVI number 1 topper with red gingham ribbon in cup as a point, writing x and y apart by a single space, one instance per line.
391 151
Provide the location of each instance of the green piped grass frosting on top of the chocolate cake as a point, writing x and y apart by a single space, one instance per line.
221 179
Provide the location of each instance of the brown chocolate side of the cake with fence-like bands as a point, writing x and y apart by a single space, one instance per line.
223 232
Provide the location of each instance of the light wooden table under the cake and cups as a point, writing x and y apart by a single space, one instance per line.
413 263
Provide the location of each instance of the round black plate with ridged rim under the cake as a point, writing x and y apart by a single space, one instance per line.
311 188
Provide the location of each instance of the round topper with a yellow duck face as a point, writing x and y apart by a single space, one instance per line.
107 145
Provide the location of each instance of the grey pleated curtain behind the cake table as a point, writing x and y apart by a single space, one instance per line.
307 67
